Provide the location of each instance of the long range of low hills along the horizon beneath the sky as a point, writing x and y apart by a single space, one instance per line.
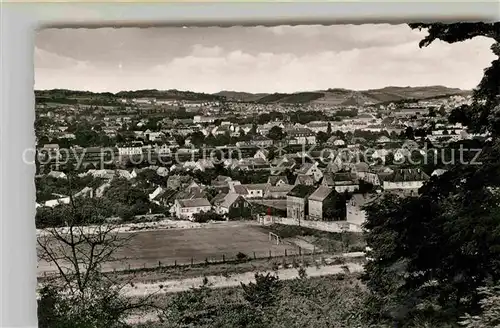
342 97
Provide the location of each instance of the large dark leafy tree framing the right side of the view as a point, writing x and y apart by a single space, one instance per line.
430 253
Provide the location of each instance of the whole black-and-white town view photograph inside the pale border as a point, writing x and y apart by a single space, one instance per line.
312 176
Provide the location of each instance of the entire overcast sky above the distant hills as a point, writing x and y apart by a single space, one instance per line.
253 59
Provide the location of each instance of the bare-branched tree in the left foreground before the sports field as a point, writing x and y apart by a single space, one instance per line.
80 294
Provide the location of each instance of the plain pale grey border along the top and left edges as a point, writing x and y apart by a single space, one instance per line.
18 23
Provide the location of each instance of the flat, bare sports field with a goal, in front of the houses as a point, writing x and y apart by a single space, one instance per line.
180 246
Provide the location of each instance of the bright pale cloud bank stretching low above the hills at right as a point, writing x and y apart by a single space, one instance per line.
458 65
